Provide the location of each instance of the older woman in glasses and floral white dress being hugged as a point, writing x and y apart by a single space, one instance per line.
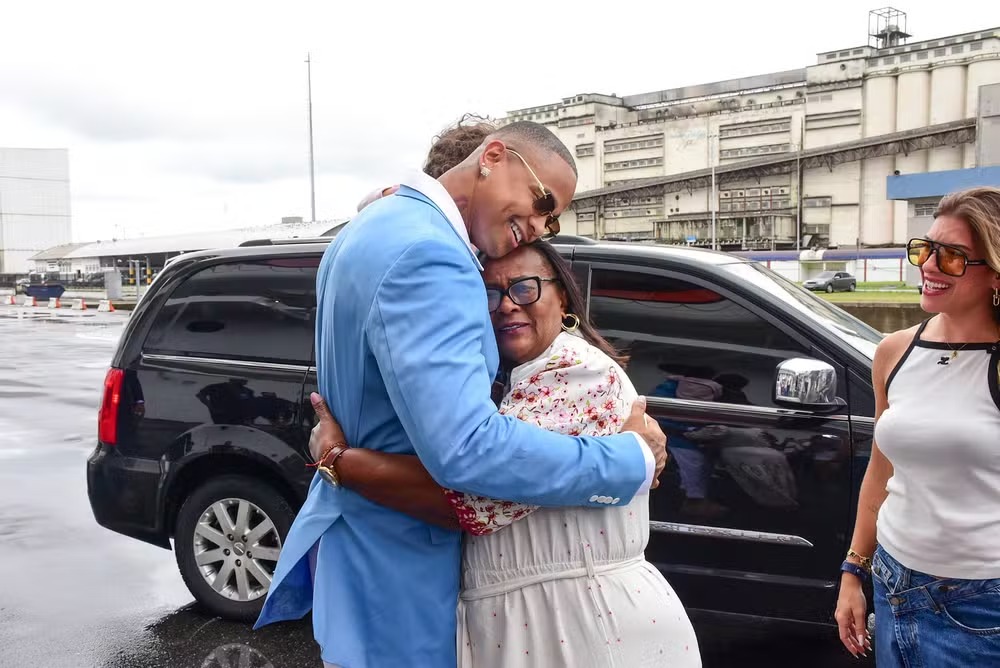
542 586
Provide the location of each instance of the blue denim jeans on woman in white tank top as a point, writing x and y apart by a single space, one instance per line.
926 622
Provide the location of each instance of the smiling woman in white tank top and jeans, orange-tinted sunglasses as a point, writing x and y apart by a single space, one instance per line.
928 523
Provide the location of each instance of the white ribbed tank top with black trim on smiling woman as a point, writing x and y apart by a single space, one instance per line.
941 432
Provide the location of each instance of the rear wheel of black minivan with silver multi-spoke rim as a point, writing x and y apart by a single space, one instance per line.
228 536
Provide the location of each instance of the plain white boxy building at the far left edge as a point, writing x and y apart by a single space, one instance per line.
34 204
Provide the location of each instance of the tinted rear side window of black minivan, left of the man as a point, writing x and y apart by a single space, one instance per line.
257 310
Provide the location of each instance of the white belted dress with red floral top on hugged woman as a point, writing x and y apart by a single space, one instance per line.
566 586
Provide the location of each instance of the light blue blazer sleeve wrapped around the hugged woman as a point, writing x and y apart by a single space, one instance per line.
426 330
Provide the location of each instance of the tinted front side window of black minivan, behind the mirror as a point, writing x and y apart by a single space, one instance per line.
679 334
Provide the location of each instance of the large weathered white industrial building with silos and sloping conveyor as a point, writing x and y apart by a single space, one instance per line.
797 158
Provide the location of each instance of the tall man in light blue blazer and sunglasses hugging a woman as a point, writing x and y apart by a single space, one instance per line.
406 357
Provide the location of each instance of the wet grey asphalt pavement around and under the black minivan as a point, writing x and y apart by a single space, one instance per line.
76 595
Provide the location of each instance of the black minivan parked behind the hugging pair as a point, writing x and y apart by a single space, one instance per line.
763 389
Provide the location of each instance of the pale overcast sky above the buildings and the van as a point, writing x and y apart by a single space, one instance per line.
193 115
